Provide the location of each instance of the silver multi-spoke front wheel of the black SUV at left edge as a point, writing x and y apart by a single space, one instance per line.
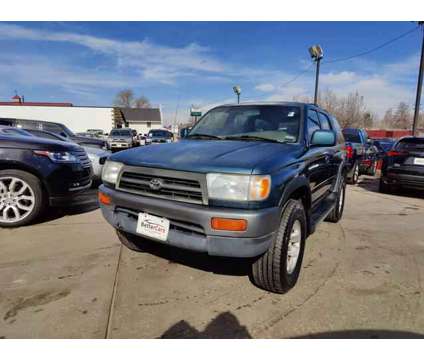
21 198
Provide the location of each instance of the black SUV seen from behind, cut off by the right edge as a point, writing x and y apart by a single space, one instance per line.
403 165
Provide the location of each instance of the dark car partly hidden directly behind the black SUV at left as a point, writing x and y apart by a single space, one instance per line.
59 129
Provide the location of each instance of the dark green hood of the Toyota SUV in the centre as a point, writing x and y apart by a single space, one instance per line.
244 157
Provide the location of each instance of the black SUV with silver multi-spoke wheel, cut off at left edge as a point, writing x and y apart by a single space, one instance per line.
36 173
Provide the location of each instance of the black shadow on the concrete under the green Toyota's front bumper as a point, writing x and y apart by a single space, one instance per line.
200 261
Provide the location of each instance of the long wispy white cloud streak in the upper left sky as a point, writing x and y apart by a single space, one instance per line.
155 62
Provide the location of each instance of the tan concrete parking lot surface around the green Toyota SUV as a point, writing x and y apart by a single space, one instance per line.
69 277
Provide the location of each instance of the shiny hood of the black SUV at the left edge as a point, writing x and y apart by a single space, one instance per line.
36 143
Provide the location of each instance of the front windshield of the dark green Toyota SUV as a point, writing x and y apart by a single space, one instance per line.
269 122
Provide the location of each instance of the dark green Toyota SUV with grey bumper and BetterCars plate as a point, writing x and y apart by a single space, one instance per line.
248 181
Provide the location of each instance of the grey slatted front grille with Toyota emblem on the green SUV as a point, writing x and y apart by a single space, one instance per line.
175 185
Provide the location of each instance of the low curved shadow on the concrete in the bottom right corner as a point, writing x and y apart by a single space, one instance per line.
364 334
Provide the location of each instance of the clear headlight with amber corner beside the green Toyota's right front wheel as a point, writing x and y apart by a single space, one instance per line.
238 187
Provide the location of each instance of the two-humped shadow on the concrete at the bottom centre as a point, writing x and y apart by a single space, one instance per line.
224 326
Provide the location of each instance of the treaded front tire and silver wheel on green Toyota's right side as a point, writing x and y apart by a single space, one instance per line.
278 269
